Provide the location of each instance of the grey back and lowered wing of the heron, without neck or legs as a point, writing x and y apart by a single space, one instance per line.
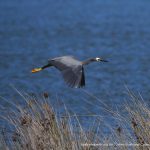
71 69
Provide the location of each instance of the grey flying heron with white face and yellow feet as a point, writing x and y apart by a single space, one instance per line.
71 69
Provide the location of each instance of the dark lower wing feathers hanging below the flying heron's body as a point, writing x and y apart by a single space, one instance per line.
74 77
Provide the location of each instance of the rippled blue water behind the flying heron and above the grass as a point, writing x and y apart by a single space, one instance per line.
33 31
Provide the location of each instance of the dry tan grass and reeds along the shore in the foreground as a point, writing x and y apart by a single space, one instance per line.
37 126
